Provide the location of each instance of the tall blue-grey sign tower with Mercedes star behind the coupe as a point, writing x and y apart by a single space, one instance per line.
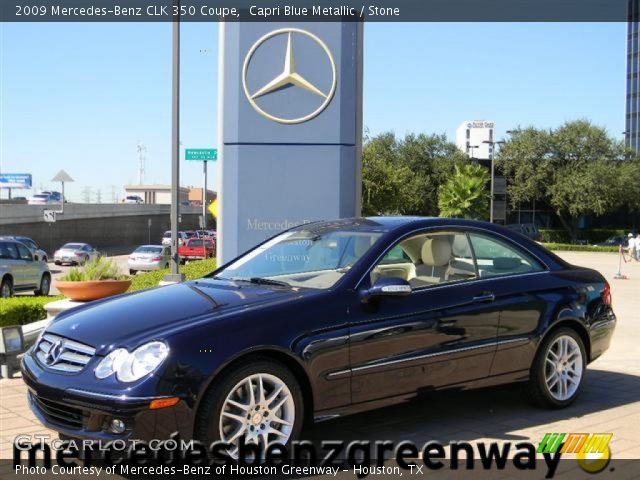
290 128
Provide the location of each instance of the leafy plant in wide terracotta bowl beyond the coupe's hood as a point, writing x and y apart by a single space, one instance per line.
98 278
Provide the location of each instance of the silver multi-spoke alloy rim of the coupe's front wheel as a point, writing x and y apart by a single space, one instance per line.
259 409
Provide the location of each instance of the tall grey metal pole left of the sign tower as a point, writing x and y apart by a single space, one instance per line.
175 276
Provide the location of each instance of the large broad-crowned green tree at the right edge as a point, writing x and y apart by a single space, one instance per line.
577 169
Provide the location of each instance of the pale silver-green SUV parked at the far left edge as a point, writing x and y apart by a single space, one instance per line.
20 271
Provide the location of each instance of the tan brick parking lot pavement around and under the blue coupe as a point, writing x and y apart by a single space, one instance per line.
610 401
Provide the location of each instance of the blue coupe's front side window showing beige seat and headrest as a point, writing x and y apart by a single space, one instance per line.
428 259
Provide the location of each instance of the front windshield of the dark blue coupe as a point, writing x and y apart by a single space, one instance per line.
303 258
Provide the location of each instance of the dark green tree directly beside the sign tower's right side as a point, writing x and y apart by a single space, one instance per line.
402 176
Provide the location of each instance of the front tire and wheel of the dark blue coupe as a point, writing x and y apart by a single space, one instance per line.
210 423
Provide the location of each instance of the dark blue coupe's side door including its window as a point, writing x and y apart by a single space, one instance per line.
443 333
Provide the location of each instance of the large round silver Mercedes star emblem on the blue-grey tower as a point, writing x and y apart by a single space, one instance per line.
289 76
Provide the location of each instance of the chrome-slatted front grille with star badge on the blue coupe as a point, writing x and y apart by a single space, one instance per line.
58 353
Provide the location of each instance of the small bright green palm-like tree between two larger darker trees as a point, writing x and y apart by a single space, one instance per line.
465 194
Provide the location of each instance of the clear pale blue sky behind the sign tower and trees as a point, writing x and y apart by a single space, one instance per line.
80 97
